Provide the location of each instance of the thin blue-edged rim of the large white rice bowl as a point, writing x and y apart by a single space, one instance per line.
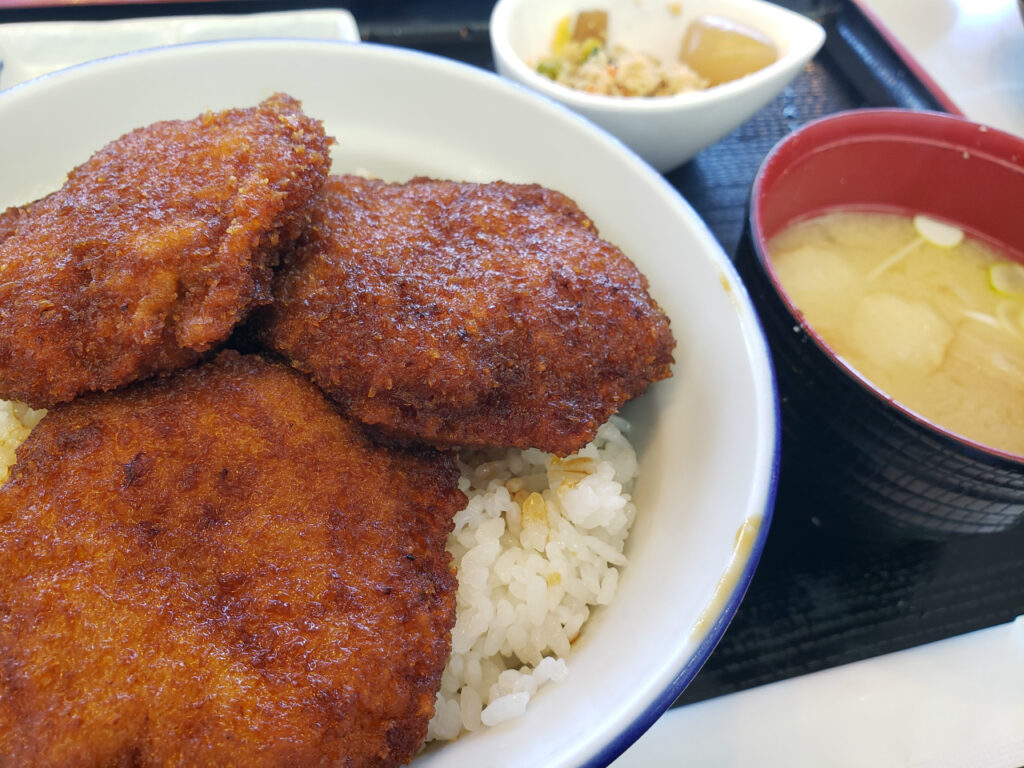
753 331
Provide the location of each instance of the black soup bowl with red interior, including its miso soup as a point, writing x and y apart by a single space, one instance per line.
865 452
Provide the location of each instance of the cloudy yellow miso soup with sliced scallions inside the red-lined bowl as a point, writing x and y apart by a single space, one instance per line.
931 318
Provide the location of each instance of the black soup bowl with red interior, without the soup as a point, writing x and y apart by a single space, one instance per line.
854 458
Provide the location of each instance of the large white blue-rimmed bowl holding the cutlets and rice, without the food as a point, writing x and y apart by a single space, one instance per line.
707 439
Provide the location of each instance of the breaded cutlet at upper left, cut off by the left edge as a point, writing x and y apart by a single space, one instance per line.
153 250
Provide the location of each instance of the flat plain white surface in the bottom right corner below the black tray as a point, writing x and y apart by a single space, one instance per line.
953 704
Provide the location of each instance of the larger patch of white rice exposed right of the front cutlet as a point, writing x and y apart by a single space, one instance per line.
538 546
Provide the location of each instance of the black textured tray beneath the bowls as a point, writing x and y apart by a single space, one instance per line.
818 601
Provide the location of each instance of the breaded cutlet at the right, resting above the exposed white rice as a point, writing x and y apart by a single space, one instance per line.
467 315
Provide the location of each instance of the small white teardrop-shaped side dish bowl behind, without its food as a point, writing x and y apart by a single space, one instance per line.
666 131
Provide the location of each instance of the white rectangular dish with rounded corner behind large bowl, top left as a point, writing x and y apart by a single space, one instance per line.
34 49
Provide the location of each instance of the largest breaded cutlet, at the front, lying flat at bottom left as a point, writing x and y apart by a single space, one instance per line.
215 568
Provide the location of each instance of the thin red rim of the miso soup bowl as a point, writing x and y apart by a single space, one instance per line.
979 451
